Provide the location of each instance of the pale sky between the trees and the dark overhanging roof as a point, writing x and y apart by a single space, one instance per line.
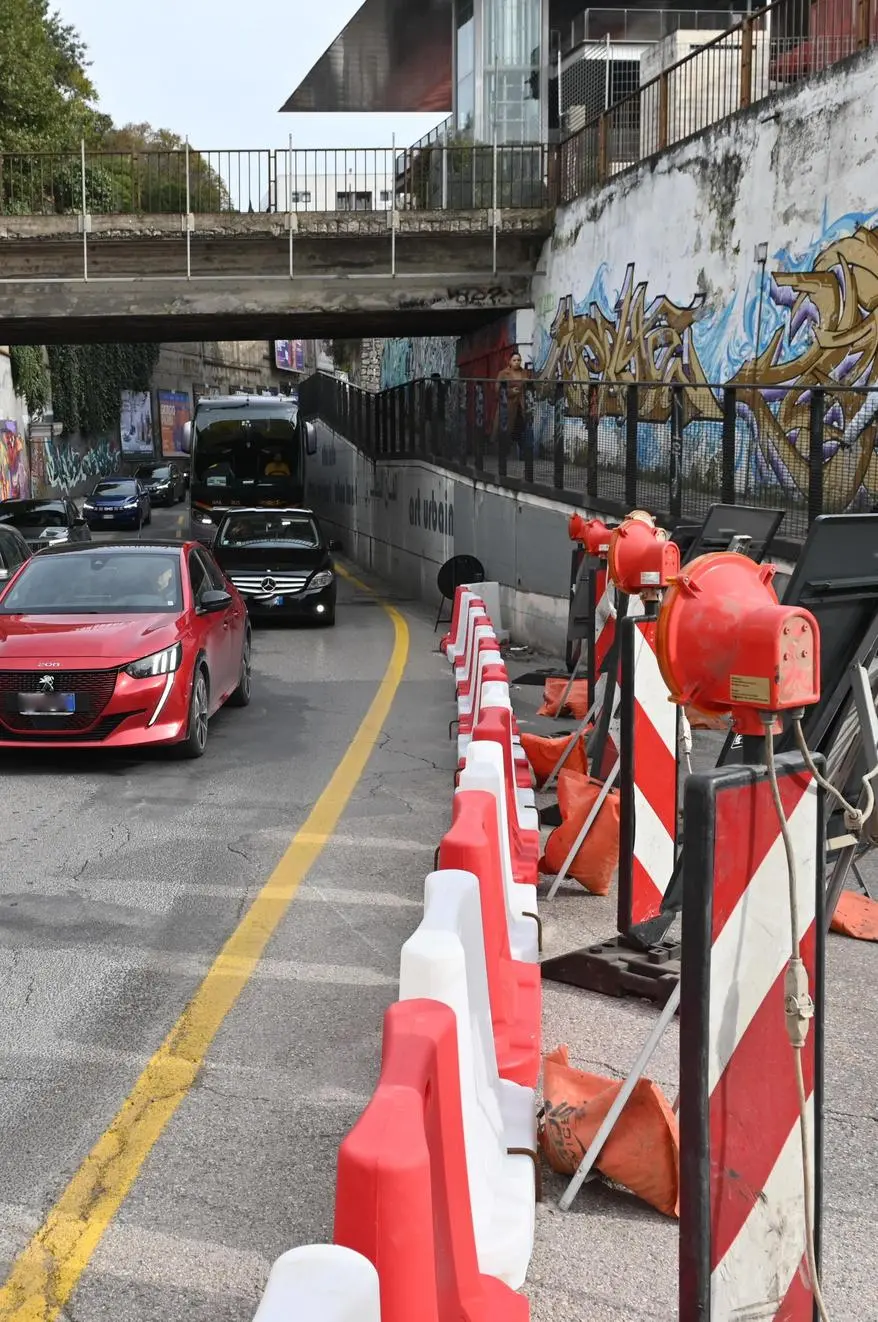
218 71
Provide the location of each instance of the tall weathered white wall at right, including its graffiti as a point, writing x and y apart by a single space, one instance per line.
654 280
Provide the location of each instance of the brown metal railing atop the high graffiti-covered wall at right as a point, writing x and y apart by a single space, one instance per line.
779 46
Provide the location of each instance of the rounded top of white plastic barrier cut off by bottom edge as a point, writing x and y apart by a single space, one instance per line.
321 1283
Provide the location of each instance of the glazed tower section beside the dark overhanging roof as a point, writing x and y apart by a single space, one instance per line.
512 65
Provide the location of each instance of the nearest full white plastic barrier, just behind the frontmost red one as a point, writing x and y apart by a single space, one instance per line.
445 960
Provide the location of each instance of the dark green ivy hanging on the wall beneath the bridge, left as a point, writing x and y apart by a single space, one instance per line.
88 383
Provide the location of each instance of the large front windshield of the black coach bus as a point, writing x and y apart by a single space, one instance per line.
245 447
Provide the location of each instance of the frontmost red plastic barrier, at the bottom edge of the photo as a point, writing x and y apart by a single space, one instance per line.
403 1196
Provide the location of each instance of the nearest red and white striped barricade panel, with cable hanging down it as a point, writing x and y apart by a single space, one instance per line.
742 1216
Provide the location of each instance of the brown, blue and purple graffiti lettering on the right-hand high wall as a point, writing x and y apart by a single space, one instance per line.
811 322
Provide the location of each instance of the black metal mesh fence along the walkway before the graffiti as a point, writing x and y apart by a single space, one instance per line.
671 449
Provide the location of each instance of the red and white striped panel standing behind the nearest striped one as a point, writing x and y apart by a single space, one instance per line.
650 742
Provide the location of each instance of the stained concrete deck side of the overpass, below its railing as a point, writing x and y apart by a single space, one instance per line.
247 277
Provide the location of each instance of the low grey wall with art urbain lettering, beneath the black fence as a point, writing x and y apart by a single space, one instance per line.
405 519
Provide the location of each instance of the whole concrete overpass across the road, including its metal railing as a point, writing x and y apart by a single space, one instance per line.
247 245
